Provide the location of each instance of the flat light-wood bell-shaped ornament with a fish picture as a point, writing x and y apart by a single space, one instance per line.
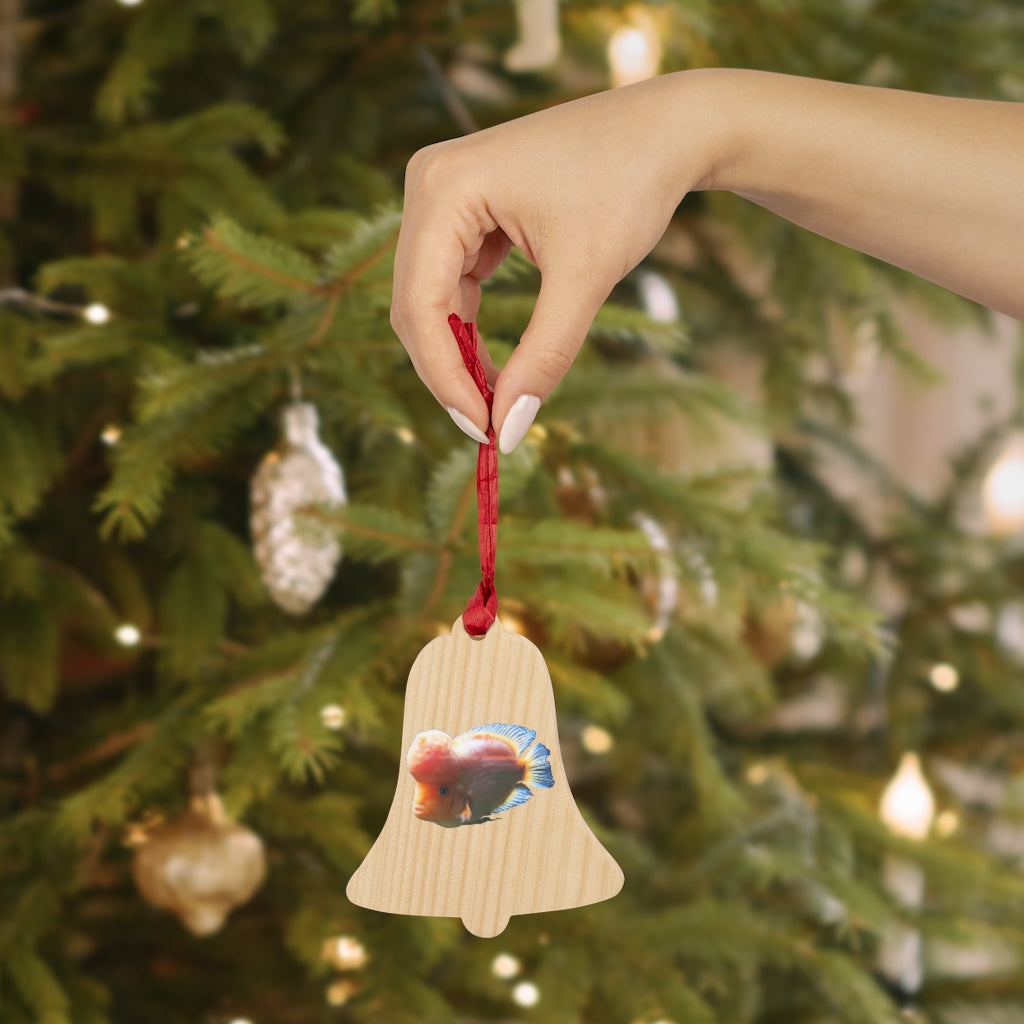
532 854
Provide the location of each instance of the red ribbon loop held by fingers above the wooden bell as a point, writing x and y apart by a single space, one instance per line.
483 607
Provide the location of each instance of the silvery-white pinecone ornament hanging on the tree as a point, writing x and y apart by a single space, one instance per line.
296 556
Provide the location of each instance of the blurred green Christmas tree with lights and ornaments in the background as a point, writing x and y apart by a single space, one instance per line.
231 517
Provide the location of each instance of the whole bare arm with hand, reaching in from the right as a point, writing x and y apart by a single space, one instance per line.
929 184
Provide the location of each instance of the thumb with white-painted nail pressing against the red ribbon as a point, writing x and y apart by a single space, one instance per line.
562 319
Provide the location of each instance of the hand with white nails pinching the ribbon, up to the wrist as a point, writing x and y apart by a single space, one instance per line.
584 190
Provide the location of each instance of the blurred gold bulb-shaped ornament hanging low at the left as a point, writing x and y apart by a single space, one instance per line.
201 866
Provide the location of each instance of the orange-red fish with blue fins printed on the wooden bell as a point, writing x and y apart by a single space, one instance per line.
486 771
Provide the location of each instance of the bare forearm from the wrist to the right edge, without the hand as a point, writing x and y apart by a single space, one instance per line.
930 184
